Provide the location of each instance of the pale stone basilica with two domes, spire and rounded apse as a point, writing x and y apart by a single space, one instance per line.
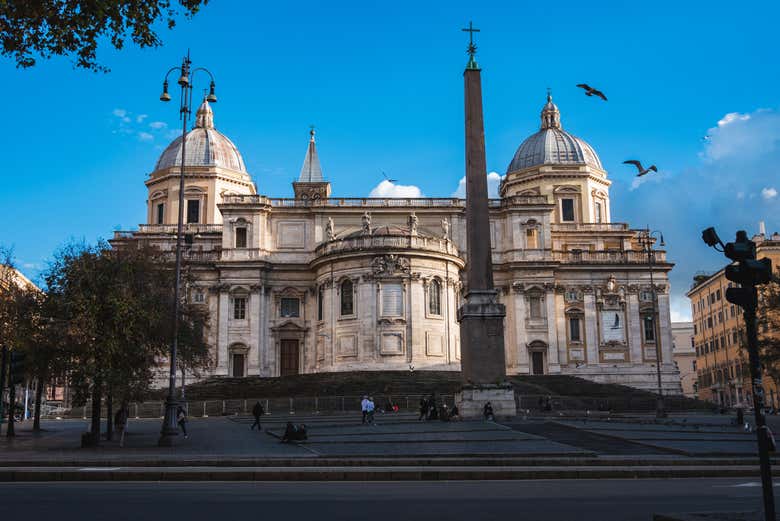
320 283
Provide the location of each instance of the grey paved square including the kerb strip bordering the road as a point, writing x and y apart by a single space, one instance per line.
398 447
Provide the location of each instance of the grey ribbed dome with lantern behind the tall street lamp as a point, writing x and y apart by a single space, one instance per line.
205 146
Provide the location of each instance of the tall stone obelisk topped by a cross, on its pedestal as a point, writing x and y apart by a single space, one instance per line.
481 318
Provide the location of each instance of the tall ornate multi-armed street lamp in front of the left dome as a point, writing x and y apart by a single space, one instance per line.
169 427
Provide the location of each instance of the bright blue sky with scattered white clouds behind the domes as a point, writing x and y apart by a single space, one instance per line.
382 81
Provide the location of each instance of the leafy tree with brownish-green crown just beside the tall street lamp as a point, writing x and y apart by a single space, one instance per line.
117 304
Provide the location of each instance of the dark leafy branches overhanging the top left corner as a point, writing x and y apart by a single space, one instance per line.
46 28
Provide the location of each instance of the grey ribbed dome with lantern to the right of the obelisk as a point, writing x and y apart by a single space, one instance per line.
553 145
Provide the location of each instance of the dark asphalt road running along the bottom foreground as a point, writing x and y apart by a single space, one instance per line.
548 500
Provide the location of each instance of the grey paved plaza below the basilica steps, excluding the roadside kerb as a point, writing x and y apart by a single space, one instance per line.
395 436
